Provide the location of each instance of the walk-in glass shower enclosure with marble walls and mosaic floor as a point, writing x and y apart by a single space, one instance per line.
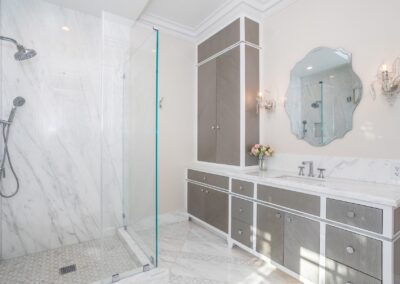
79 143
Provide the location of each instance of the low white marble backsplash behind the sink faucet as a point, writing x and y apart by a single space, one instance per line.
362 169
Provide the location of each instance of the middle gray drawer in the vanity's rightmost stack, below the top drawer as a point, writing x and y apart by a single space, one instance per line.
354 250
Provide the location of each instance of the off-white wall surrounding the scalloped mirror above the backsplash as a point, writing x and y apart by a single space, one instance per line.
367 29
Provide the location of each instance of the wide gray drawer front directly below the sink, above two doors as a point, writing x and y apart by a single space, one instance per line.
290 199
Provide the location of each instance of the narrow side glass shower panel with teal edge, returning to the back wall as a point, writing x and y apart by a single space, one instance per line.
140 141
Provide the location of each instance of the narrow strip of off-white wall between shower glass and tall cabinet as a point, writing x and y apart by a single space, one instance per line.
177 121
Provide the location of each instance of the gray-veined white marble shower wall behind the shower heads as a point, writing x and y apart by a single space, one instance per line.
55 141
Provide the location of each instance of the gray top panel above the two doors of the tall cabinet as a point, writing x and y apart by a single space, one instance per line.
218 42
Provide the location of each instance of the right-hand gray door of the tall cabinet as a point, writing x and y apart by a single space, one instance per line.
228 107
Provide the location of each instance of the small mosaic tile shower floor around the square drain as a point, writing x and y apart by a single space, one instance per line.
44 267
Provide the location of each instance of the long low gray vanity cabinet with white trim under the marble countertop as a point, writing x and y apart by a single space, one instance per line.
324 239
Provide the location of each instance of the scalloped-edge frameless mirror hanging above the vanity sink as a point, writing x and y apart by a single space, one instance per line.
322 96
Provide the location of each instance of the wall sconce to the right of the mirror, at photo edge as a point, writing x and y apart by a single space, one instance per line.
389 81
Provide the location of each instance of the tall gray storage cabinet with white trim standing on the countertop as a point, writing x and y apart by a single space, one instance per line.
225 101
